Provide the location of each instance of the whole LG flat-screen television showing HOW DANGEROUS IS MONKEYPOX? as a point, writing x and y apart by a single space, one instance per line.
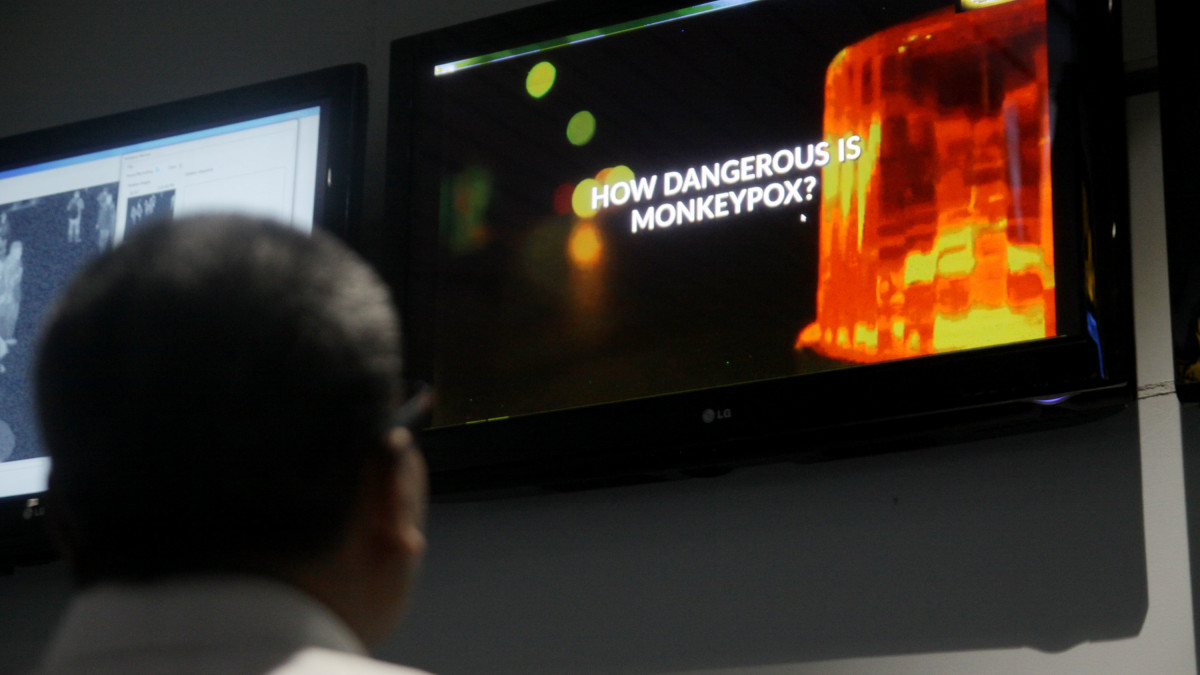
635 240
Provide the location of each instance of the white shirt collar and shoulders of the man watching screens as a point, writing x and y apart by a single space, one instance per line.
232 626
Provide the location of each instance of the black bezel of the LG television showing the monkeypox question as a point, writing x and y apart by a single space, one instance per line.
825 415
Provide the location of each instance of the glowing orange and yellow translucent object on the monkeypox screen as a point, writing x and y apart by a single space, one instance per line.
939 237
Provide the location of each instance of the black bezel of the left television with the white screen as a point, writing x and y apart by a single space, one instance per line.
340 91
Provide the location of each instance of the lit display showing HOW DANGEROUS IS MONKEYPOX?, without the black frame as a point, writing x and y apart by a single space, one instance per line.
735 193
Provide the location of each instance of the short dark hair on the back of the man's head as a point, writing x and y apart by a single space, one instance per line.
211 393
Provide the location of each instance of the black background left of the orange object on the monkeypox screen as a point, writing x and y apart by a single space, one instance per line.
520 327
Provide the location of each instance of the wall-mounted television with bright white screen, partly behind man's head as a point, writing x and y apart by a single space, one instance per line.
290 150
